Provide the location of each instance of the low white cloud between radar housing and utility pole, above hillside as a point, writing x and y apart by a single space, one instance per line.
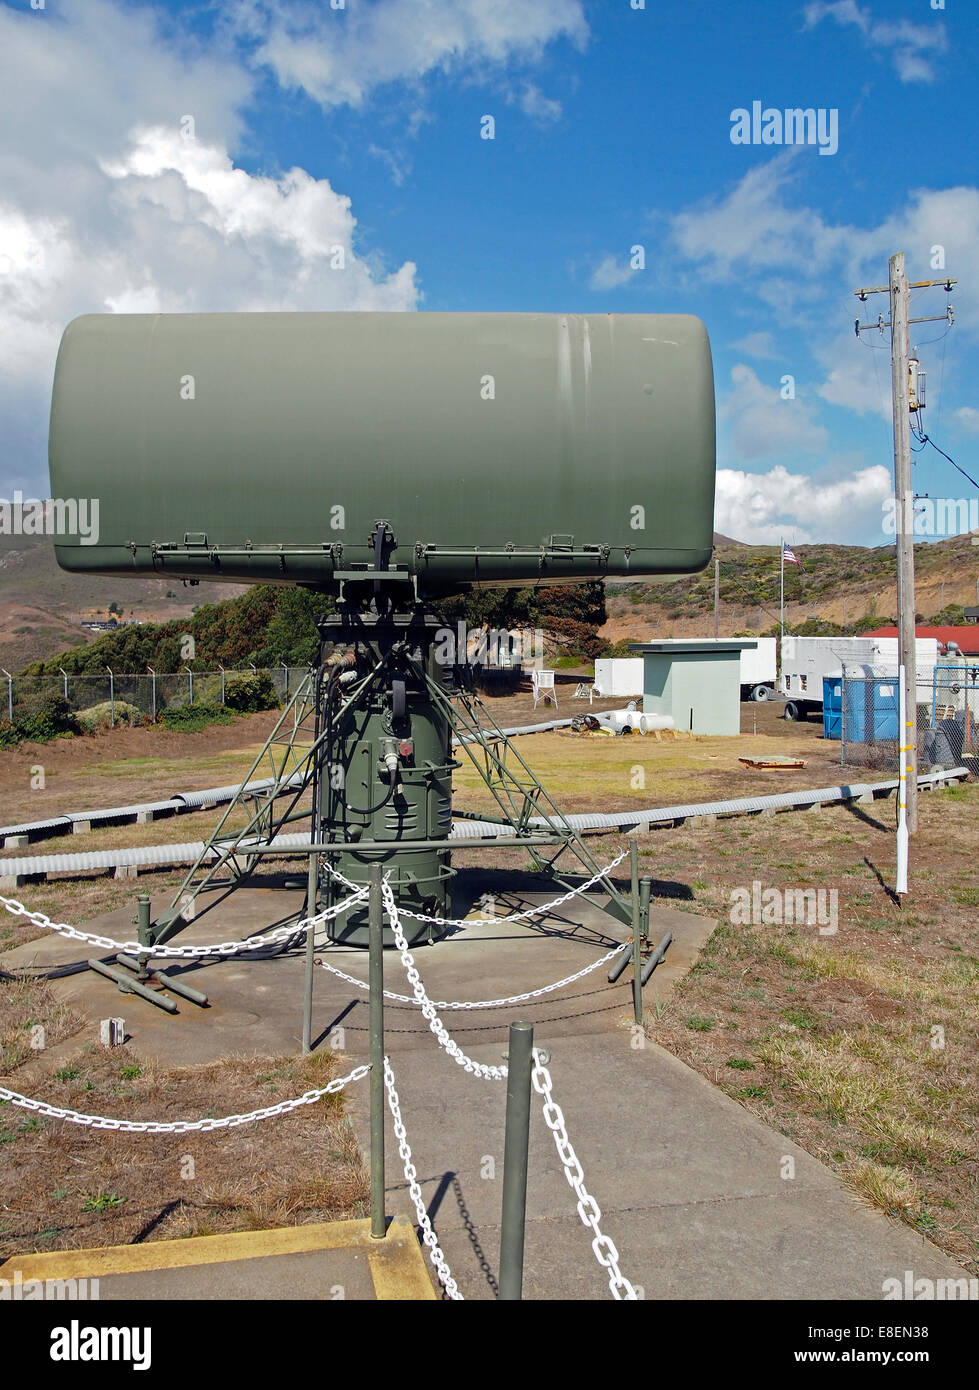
761 508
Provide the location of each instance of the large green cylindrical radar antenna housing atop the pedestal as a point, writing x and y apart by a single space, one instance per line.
501 448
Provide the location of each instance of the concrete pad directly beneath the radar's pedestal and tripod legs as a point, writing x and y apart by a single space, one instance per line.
257 1000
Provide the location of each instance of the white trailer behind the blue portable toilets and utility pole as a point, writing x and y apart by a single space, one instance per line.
806 661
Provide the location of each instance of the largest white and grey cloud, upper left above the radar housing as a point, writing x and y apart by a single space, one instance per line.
106 208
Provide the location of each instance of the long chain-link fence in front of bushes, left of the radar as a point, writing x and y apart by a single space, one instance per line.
127 694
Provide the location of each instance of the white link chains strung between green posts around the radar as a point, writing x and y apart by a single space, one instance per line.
588 1209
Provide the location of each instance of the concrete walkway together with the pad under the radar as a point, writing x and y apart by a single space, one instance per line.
692 1186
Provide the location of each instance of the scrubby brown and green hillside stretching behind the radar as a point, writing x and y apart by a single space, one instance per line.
41 607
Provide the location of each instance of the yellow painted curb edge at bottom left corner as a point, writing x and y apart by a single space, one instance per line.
397 1266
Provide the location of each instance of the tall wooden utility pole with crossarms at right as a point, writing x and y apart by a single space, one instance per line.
898 290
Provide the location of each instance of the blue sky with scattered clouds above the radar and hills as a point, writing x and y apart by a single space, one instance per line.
361 126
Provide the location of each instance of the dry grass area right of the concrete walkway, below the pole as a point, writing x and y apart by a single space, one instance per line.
864 1046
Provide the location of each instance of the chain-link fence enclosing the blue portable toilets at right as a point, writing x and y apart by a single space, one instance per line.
864 712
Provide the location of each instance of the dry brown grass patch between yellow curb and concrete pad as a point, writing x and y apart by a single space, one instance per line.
70 1188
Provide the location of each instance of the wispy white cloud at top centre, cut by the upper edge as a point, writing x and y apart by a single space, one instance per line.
340 56
